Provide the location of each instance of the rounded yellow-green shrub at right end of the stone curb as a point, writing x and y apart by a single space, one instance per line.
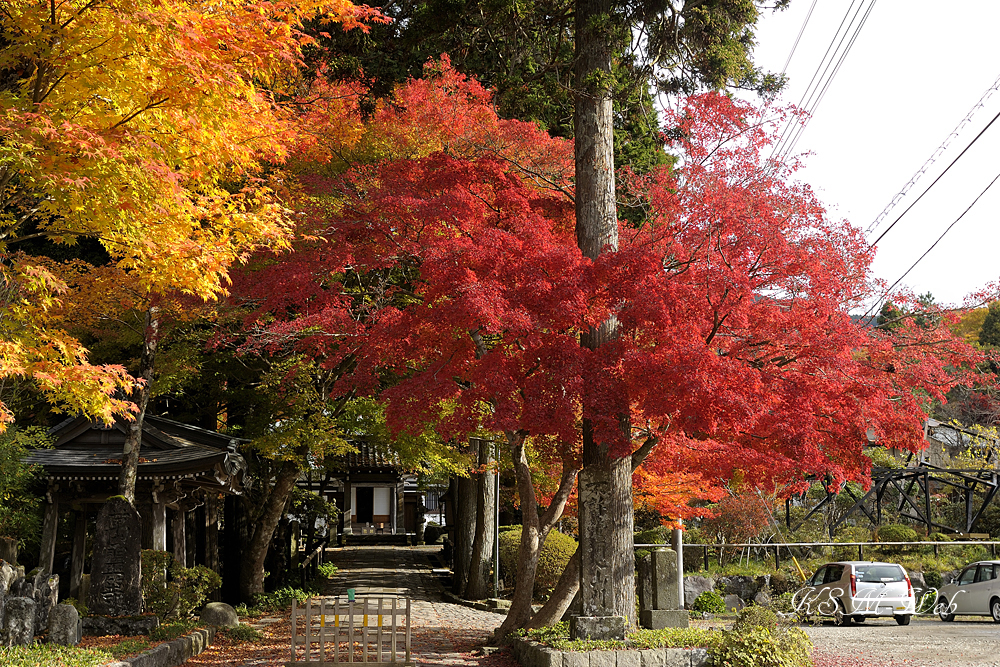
759 639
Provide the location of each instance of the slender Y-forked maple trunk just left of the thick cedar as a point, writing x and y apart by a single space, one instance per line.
534 529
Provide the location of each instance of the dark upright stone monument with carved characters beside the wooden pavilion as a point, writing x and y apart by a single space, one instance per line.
114 579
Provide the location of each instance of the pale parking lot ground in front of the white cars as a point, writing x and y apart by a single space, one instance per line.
925 642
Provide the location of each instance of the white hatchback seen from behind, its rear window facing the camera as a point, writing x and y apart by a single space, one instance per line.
855 590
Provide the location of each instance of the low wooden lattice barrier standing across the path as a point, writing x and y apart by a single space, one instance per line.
334 631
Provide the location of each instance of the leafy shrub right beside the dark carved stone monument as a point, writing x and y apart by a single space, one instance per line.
186 590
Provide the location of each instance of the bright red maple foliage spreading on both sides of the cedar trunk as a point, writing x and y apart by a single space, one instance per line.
445 259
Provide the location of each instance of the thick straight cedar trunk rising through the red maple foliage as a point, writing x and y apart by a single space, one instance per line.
607 580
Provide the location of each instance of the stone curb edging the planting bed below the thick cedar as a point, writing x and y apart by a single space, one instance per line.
533 654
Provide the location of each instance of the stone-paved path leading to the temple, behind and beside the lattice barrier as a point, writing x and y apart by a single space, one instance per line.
443 633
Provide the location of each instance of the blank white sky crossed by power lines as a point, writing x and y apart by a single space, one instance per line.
917 68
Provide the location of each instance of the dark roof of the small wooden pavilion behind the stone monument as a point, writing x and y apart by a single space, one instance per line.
85 450
